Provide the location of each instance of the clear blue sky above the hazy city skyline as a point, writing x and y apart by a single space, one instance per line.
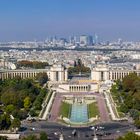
22 20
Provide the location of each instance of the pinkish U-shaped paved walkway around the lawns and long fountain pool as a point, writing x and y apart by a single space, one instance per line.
104 114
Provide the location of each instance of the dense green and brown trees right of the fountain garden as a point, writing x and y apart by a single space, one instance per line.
127 92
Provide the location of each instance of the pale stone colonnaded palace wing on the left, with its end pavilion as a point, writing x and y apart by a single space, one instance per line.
55 73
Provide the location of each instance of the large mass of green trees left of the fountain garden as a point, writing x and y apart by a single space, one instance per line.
18 97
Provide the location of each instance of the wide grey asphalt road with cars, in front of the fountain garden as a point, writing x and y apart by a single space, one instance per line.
53 130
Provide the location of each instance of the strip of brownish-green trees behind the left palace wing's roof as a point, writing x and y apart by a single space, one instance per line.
32 64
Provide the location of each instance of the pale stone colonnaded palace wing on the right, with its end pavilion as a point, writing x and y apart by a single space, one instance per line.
108 72
